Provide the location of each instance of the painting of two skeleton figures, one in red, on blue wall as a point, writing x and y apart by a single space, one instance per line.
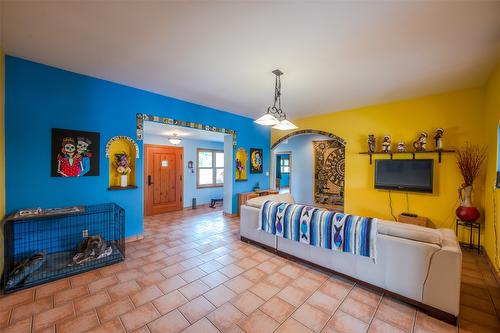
74 153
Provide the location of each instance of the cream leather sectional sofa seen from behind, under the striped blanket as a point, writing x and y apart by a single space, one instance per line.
419 265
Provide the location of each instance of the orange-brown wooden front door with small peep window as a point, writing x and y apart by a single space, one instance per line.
163 173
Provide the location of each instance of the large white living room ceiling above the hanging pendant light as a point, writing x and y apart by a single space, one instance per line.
335 55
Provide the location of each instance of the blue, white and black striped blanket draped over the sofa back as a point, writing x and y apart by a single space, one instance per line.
320 227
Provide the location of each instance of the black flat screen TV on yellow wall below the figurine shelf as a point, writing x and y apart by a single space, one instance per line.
404 175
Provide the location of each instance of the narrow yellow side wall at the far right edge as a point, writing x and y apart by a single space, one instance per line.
492 196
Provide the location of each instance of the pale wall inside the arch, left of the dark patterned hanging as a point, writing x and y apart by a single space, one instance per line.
302 175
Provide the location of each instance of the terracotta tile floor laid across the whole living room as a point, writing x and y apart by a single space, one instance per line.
191 273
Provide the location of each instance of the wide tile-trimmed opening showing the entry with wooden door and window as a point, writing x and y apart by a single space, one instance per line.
185 168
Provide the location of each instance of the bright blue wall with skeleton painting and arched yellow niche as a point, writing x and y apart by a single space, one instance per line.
39 97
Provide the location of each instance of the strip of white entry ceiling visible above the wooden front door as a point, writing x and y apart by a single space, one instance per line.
165 130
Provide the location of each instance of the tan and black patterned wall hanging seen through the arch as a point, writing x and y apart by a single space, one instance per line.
329 172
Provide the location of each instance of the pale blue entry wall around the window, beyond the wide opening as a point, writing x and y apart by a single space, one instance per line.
202 195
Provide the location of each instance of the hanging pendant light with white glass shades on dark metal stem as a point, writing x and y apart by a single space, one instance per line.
275 116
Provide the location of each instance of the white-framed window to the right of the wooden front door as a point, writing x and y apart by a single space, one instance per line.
210 167
